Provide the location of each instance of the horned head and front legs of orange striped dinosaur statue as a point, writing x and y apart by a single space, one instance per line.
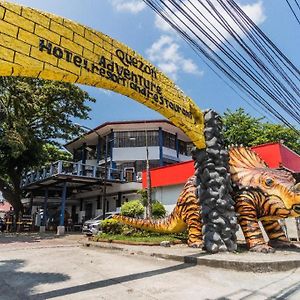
262 194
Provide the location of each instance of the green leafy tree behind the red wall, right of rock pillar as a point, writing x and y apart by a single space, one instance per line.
241 128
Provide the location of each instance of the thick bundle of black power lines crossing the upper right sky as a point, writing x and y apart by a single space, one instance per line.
263 56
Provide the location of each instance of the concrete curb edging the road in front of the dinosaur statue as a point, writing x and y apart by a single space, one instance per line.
208 260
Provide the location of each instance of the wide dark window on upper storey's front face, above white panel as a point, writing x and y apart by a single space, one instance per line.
136 138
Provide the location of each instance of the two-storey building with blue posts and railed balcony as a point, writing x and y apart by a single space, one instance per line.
106 169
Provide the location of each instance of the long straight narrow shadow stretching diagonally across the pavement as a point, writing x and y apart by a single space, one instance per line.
109 282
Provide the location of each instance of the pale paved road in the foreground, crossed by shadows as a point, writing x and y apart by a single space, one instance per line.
51 268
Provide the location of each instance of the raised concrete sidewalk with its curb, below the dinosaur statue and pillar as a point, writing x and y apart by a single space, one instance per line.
243 260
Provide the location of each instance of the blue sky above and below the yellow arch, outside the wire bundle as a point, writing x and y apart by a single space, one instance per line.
134 24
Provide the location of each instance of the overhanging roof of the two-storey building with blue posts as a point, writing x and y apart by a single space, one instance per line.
105 128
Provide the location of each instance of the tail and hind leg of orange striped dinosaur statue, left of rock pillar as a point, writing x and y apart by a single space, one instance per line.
186 215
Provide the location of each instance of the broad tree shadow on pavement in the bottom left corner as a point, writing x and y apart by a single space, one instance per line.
16 284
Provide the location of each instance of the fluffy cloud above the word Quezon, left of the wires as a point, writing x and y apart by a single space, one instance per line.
165 53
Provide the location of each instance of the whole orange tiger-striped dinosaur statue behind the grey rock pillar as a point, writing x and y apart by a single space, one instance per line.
260 194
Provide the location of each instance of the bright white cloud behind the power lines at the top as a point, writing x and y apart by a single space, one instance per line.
207 21
